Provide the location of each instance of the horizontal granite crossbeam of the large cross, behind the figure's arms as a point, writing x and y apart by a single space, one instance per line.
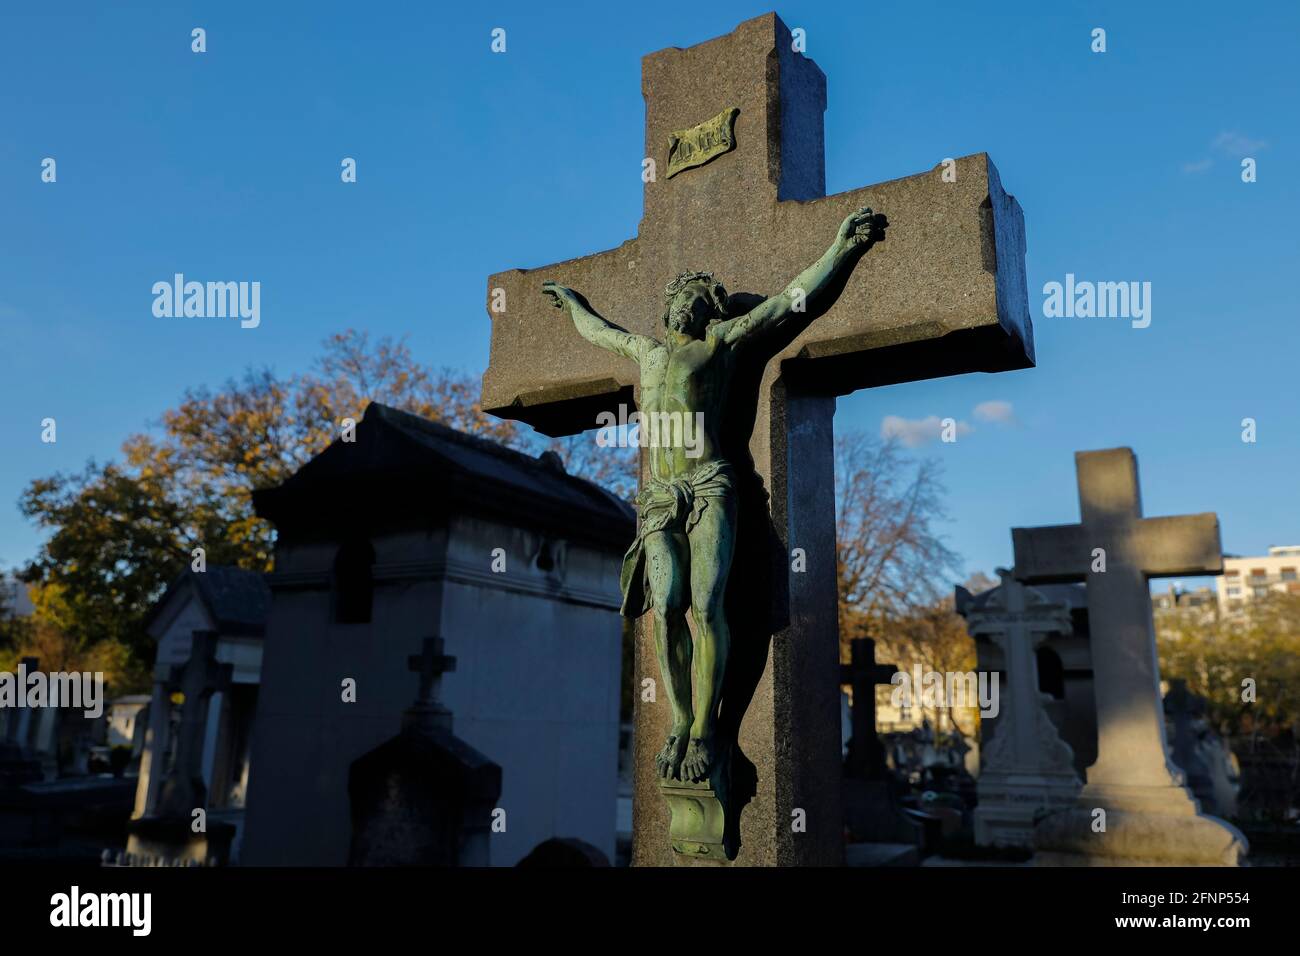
944 295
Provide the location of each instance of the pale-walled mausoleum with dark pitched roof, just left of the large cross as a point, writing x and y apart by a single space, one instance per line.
417 531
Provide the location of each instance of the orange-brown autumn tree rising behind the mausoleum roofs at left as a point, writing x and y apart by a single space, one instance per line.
119 533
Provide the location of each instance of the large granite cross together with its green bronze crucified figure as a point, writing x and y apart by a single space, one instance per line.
734 132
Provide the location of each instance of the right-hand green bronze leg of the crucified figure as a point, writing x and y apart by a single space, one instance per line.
713 542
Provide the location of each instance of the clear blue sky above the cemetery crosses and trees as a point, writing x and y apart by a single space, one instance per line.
227 166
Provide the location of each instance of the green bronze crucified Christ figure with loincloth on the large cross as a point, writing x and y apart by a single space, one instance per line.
683 552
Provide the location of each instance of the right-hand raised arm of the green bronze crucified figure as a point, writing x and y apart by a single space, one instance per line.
816 289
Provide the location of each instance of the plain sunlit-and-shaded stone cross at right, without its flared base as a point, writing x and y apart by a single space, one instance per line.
1117 551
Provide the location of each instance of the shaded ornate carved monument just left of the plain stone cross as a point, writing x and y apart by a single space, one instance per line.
1028 771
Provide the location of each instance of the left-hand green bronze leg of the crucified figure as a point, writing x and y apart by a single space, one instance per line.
666 557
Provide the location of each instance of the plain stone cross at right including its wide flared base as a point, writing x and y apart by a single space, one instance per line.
1134 808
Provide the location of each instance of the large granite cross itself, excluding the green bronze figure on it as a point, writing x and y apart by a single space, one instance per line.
943 295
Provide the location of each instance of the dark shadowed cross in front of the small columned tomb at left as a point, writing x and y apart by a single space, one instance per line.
197 680
